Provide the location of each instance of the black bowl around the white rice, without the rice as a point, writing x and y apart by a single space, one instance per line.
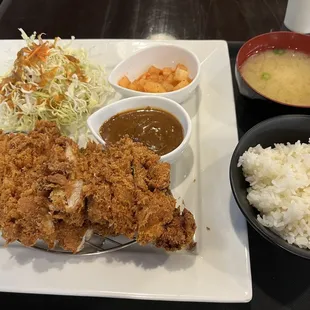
280 129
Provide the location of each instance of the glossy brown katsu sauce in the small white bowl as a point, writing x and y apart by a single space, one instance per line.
157 129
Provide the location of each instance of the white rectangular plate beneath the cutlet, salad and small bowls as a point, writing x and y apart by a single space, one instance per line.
219 269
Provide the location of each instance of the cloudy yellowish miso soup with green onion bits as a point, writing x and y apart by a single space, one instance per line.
281 75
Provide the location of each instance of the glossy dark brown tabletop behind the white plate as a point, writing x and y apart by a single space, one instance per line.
231 20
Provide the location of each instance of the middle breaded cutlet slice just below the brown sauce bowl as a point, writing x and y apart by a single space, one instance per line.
109 187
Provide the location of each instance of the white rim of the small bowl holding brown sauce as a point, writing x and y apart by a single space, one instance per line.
95 120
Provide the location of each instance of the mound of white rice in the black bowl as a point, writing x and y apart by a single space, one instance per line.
279 180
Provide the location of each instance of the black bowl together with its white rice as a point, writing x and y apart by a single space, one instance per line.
270 180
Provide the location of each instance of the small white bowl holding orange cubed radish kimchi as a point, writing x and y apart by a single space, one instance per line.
160 56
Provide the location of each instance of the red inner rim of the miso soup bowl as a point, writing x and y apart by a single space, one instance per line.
272 40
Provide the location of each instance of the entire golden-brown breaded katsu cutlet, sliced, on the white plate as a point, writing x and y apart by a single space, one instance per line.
53 191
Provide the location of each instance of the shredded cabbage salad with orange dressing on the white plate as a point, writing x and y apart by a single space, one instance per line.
53 83
